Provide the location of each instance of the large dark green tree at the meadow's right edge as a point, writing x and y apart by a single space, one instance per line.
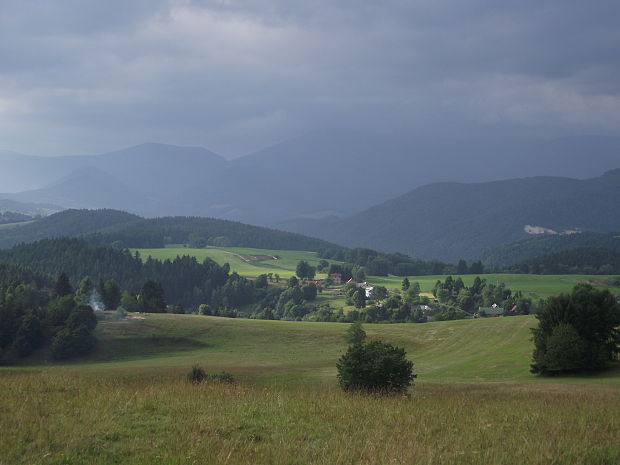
577 332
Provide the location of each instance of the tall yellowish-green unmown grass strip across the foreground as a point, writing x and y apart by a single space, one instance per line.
67 418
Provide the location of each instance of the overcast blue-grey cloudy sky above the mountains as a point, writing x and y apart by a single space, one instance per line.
88 76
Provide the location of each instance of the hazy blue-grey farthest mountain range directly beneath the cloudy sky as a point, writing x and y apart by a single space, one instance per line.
322 174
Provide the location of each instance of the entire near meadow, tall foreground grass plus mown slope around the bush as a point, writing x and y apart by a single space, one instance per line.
474 401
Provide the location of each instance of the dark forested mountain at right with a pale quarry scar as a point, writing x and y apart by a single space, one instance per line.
450 221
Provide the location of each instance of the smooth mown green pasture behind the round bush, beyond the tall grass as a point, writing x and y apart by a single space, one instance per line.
263 351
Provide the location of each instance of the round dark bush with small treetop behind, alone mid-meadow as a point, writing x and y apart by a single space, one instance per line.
373 366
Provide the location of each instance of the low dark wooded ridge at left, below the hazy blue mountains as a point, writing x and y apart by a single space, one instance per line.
112 227
